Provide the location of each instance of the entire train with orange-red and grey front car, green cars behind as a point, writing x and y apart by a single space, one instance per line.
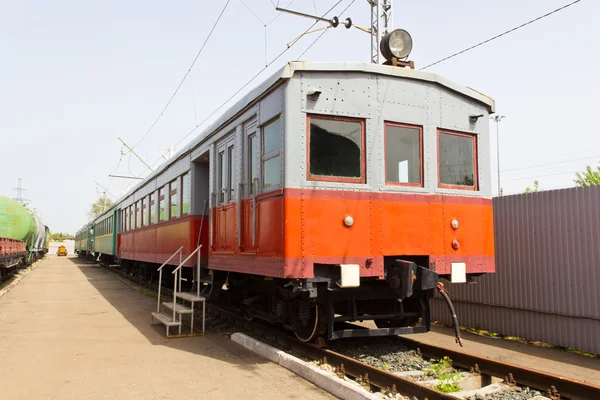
331 193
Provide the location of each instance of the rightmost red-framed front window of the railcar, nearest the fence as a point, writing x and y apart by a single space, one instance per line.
457 160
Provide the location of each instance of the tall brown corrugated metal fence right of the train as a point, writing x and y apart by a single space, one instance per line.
547 281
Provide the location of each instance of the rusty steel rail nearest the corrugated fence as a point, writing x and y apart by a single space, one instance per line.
567 387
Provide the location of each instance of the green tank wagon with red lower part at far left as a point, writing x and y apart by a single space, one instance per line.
23 237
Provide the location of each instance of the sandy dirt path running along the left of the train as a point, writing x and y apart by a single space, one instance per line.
71 331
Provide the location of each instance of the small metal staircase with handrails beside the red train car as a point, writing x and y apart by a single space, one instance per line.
174 317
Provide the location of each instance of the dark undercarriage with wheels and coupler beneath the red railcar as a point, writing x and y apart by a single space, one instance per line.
318 310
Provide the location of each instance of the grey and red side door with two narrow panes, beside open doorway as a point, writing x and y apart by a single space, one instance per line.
224 221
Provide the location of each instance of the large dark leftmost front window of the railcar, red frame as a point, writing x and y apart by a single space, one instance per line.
336 149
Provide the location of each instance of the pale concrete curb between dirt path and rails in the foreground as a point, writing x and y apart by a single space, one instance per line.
323 379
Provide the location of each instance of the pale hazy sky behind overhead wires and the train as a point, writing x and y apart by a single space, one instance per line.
76 75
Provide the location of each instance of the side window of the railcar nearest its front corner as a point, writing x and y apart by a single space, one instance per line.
270 155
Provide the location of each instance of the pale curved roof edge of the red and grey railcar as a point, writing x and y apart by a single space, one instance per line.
287 72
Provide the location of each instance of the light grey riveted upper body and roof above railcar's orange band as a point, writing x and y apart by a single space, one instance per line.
406 95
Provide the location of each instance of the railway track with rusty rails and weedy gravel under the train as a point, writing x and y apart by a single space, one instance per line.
428 367
